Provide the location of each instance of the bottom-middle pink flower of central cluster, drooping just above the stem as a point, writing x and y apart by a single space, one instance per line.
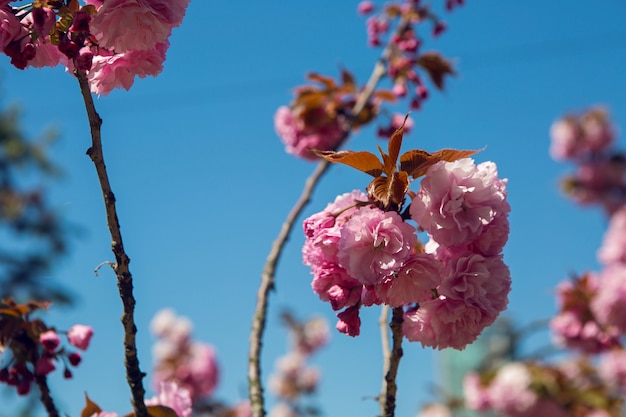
415 282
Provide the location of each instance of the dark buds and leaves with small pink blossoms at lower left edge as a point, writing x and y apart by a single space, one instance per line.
33 346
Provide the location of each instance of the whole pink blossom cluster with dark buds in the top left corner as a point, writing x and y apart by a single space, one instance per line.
113 41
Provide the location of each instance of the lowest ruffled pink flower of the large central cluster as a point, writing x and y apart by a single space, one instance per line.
443 323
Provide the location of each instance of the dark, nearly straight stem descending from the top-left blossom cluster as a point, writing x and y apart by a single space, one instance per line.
134 376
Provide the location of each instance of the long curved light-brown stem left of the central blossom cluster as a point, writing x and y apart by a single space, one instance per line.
268 275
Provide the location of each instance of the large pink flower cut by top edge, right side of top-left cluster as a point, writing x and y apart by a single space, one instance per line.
125 25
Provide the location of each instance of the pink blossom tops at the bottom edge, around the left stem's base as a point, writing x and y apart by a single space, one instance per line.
170 395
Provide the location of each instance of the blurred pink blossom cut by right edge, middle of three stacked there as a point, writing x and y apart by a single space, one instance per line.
609 303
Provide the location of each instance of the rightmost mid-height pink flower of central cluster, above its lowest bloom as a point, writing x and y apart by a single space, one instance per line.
477 281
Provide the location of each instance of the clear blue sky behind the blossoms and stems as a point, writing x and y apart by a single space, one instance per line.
203 183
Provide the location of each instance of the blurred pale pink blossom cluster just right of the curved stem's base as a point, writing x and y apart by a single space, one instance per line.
293 380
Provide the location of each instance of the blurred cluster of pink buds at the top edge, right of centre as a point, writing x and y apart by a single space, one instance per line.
399 22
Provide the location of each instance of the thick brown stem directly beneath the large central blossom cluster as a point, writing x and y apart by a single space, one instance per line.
388 395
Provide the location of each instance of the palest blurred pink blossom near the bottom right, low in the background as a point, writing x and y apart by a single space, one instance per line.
509 392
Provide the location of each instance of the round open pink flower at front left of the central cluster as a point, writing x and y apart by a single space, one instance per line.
374 244
